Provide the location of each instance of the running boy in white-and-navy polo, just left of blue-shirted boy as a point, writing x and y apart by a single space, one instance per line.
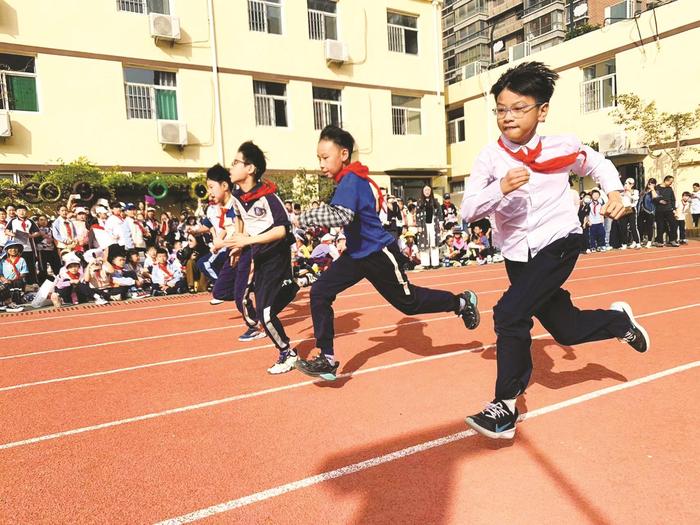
267 236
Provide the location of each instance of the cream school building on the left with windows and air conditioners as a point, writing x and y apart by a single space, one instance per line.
174 86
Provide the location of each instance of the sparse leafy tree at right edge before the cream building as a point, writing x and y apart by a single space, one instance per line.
655 129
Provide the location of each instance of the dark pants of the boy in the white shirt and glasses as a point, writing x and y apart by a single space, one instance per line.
535 291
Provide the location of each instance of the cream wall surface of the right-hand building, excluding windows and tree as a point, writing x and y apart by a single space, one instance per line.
656 69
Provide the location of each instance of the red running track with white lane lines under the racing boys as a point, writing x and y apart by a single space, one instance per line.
152 410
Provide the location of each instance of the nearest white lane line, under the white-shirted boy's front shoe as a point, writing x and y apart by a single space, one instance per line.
409 451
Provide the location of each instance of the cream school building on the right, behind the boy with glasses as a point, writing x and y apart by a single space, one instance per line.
650 54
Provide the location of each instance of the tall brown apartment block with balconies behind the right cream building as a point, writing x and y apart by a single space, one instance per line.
478 34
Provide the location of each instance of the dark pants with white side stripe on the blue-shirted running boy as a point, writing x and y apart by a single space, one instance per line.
384 270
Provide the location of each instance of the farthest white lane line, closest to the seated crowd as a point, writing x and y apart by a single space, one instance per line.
476 272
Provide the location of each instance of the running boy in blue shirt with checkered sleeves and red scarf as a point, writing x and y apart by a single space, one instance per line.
371 253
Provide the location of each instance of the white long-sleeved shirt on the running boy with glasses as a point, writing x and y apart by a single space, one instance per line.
541 211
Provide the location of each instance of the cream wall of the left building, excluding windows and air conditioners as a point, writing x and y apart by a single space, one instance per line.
81 49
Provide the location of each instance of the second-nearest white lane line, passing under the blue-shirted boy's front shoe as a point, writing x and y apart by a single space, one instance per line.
259 393
